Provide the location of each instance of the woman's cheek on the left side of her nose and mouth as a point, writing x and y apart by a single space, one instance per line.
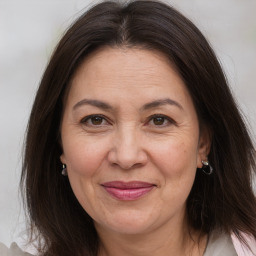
84 157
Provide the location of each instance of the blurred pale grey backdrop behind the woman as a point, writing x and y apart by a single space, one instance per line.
30 29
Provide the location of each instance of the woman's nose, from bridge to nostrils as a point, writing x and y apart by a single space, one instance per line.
127 150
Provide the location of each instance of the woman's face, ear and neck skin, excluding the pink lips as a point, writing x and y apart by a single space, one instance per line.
126 143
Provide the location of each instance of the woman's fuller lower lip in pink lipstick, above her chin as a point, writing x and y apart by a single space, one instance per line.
128 194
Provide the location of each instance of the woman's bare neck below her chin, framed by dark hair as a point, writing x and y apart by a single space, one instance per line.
161 241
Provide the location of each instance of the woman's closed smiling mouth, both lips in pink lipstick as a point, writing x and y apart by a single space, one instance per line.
127 191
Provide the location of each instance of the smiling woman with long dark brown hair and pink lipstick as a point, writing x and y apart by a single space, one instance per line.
134 111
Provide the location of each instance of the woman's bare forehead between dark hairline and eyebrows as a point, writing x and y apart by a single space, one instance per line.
127 73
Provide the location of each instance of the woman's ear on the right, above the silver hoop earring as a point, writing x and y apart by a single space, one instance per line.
204 145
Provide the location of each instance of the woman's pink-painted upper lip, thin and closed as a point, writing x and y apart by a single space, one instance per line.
127 185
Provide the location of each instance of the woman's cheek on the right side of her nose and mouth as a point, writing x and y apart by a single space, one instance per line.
177 164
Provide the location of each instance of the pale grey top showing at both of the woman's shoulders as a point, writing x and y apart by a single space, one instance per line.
219 244
